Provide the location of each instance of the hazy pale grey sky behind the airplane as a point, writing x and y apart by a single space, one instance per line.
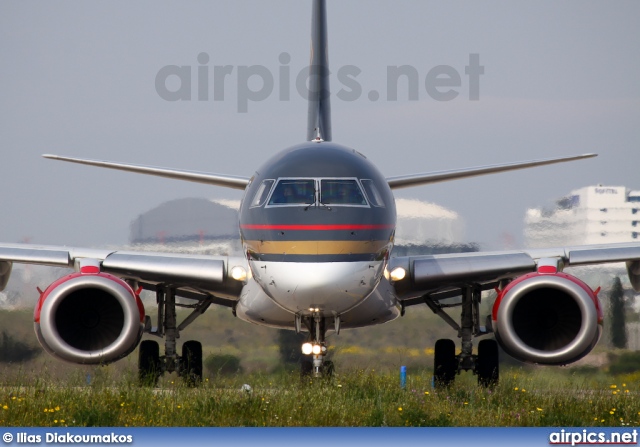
78 79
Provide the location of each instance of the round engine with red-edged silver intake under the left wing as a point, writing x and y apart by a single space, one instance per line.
93 318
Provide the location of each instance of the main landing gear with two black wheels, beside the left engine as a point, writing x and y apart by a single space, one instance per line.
188 365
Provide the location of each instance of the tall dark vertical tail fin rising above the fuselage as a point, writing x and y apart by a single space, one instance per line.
319 119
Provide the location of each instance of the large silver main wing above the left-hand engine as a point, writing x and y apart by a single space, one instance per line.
193 276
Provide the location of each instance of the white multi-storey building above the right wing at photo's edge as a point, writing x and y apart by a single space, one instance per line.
589 215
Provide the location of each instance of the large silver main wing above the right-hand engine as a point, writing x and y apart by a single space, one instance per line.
443 276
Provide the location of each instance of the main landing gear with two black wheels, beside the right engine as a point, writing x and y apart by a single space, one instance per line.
446 364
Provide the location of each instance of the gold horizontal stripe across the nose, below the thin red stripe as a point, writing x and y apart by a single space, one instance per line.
315 247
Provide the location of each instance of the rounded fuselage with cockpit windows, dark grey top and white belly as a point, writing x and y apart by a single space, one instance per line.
317 224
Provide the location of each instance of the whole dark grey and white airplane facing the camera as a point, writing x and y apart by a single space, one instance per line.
317 224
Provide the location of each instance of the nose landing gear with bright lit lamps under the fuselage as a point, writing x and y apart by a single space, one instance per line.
315 349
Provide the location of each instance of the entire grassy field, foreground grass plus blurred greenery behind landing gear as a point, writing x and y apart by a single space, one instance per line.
364 392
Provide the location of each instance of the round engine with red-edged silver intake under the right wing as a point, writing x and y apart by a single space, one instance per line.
547 318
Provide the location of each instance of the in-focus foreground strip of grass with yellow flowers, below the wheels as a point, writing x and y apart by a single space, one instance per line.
540 397
